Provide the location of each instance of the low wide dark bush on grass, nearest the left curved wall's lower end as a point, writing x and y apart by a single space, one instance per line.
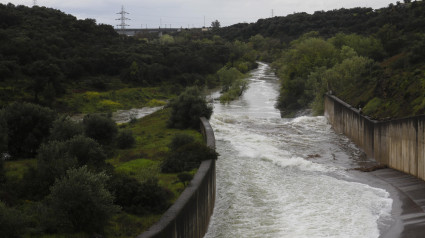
139 198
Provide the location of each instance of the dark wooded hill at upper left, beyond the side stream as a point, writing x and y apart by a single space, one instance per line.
47 54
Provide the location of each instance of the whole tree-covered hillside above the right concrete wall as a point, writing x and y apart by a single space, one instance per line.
391 87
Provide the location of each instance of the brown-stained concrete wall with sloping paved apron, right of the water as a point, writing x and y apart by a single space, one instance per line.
400 145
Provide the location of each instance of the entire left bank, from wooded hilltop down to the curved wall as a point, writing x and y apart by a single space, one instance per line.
94 177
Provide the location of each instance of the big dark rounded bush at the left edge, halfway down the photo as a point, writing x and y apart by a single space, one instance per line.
27 126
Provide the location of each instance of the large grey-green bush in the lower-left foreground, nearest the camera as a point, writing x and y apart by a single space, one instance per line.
79 201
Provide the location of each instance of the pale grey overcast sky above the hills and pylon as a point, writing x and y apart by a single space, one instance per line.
192 13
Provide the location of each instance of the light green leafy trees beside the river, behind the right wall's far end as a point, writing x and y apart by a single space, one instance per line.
313 66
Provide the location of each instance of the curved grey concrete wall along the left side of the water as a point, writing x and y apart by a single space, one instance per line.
190 214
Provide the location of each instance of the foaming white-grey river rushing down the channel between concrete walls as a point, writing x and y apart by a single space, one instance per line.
288 177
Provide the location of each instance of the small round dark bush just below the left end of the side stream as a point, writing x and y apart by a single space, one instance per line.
100 128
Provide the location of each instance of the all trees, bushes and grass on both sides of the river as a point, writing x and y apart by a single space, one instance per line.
53 65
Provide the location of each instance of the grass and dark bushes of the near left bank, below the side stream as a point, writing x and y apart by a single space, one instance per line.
129 190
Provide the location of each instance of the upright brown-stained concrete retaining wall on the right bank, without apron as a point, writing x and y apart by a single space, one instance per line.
399 144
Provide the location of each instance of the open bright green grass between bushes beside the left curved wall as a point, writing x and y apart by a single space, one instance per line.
141 162
